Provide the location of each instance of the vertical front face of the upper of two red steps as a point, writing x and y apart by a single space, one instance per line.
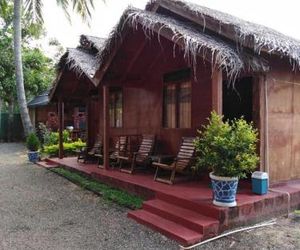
205 230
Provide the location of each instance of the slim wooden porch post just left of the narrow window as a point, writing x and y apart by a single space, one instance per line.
105 127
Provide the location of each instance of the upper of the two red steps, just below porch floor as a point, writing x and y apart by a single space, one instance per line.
208 226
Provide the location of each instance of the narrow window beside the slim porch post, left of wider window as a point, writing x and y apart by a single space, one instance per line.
116 108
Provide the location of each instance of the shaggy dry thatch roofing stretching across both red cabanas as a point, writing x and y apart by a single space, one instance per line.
235 46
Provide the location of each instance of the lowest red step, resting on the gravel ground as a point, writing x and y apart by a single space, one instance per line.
183 235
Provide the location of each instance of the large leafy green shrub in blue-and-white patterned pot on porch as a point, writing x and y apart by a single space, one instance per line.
228 150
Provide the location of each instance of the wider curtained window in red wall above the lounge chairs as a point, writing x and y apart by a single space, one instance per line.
177 105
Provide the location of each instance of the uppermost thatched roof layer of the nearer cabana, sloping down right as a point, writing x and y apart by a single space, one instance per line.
257 37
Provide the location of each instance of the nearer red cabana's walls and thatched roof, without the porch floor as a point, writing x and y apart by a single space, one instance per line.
172 64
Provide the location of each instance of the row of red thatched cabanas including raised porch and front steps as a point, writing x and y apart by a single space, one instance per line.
162 71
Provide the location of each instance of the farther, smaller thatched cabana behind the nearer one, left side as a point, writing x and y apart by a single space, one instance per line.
74 90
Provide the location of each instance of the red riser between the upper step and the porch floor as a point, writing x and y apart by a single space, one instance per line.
199 208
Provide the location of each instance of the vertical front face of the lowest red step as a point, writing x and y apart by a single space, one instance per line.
164 232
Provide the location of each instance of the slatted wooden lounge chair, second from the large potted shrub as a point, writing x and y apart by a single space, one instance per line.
140 157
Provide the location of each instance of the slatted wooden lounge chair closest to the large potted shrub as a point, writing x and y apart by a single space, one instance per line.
181 164
